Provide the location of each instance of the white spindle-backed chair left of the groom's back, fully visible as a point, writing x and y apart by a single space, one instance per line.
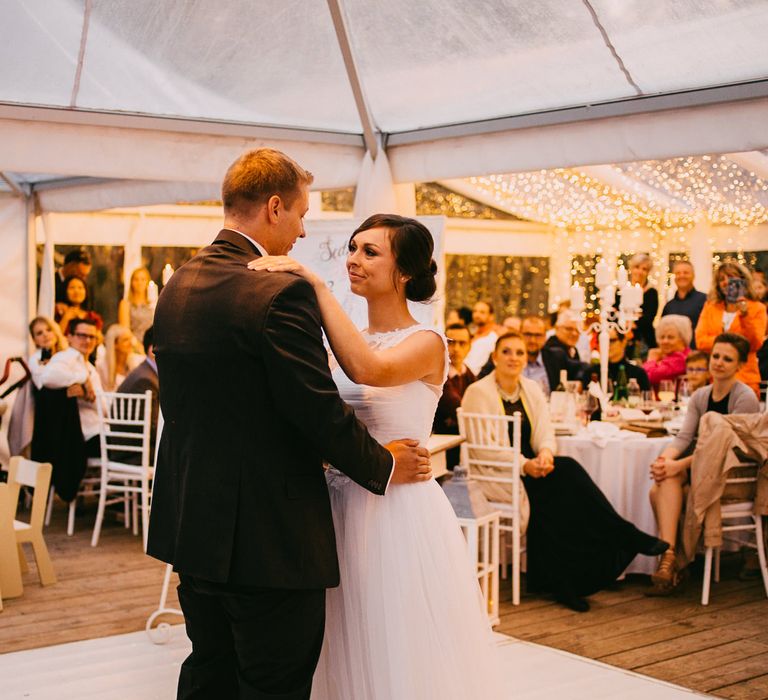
125 431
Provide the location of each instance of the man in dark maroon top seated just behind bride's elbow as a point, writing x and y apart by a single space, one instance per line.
459 378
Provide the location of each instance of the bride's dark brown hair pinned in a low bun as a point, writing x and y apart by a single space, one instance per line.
412 246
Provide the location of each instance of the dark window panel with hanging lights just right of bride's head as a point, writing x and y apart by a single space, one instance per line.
516 285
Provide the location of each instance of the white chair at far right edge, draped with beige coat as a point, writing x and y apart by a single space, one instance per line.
737 516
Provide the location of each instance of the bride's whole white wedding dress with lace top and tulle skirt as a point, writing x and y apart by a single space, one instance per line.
407 621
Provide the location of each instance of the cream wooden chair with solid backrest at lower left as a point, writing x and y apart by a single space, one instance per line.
37 475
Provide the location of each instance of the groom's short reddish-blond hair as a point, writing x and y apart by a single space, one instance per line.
257 175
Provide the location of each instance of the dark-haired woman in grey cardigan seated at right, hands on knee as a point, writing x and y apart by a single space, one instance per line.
670 472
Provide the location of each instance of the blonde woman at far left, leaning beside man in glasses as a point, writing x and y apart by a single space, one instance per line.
48 340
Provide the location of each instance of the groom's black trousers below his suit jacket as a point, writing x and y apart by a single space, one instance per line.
249 643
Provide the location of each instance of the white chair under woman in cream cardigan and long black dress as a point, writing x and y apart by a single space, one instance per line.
490 458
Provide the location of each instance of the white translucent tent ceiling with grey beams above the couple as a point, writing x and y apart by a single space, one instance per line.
171 90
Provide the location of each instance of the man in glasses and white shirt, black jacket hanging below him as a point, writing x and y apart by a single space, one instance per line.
66 429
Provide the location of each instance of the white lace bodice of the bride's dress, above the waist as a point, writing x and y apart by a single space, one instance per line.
393 412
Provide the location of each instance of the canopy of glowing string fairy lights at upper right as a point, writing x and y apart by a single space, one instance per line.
650 203
